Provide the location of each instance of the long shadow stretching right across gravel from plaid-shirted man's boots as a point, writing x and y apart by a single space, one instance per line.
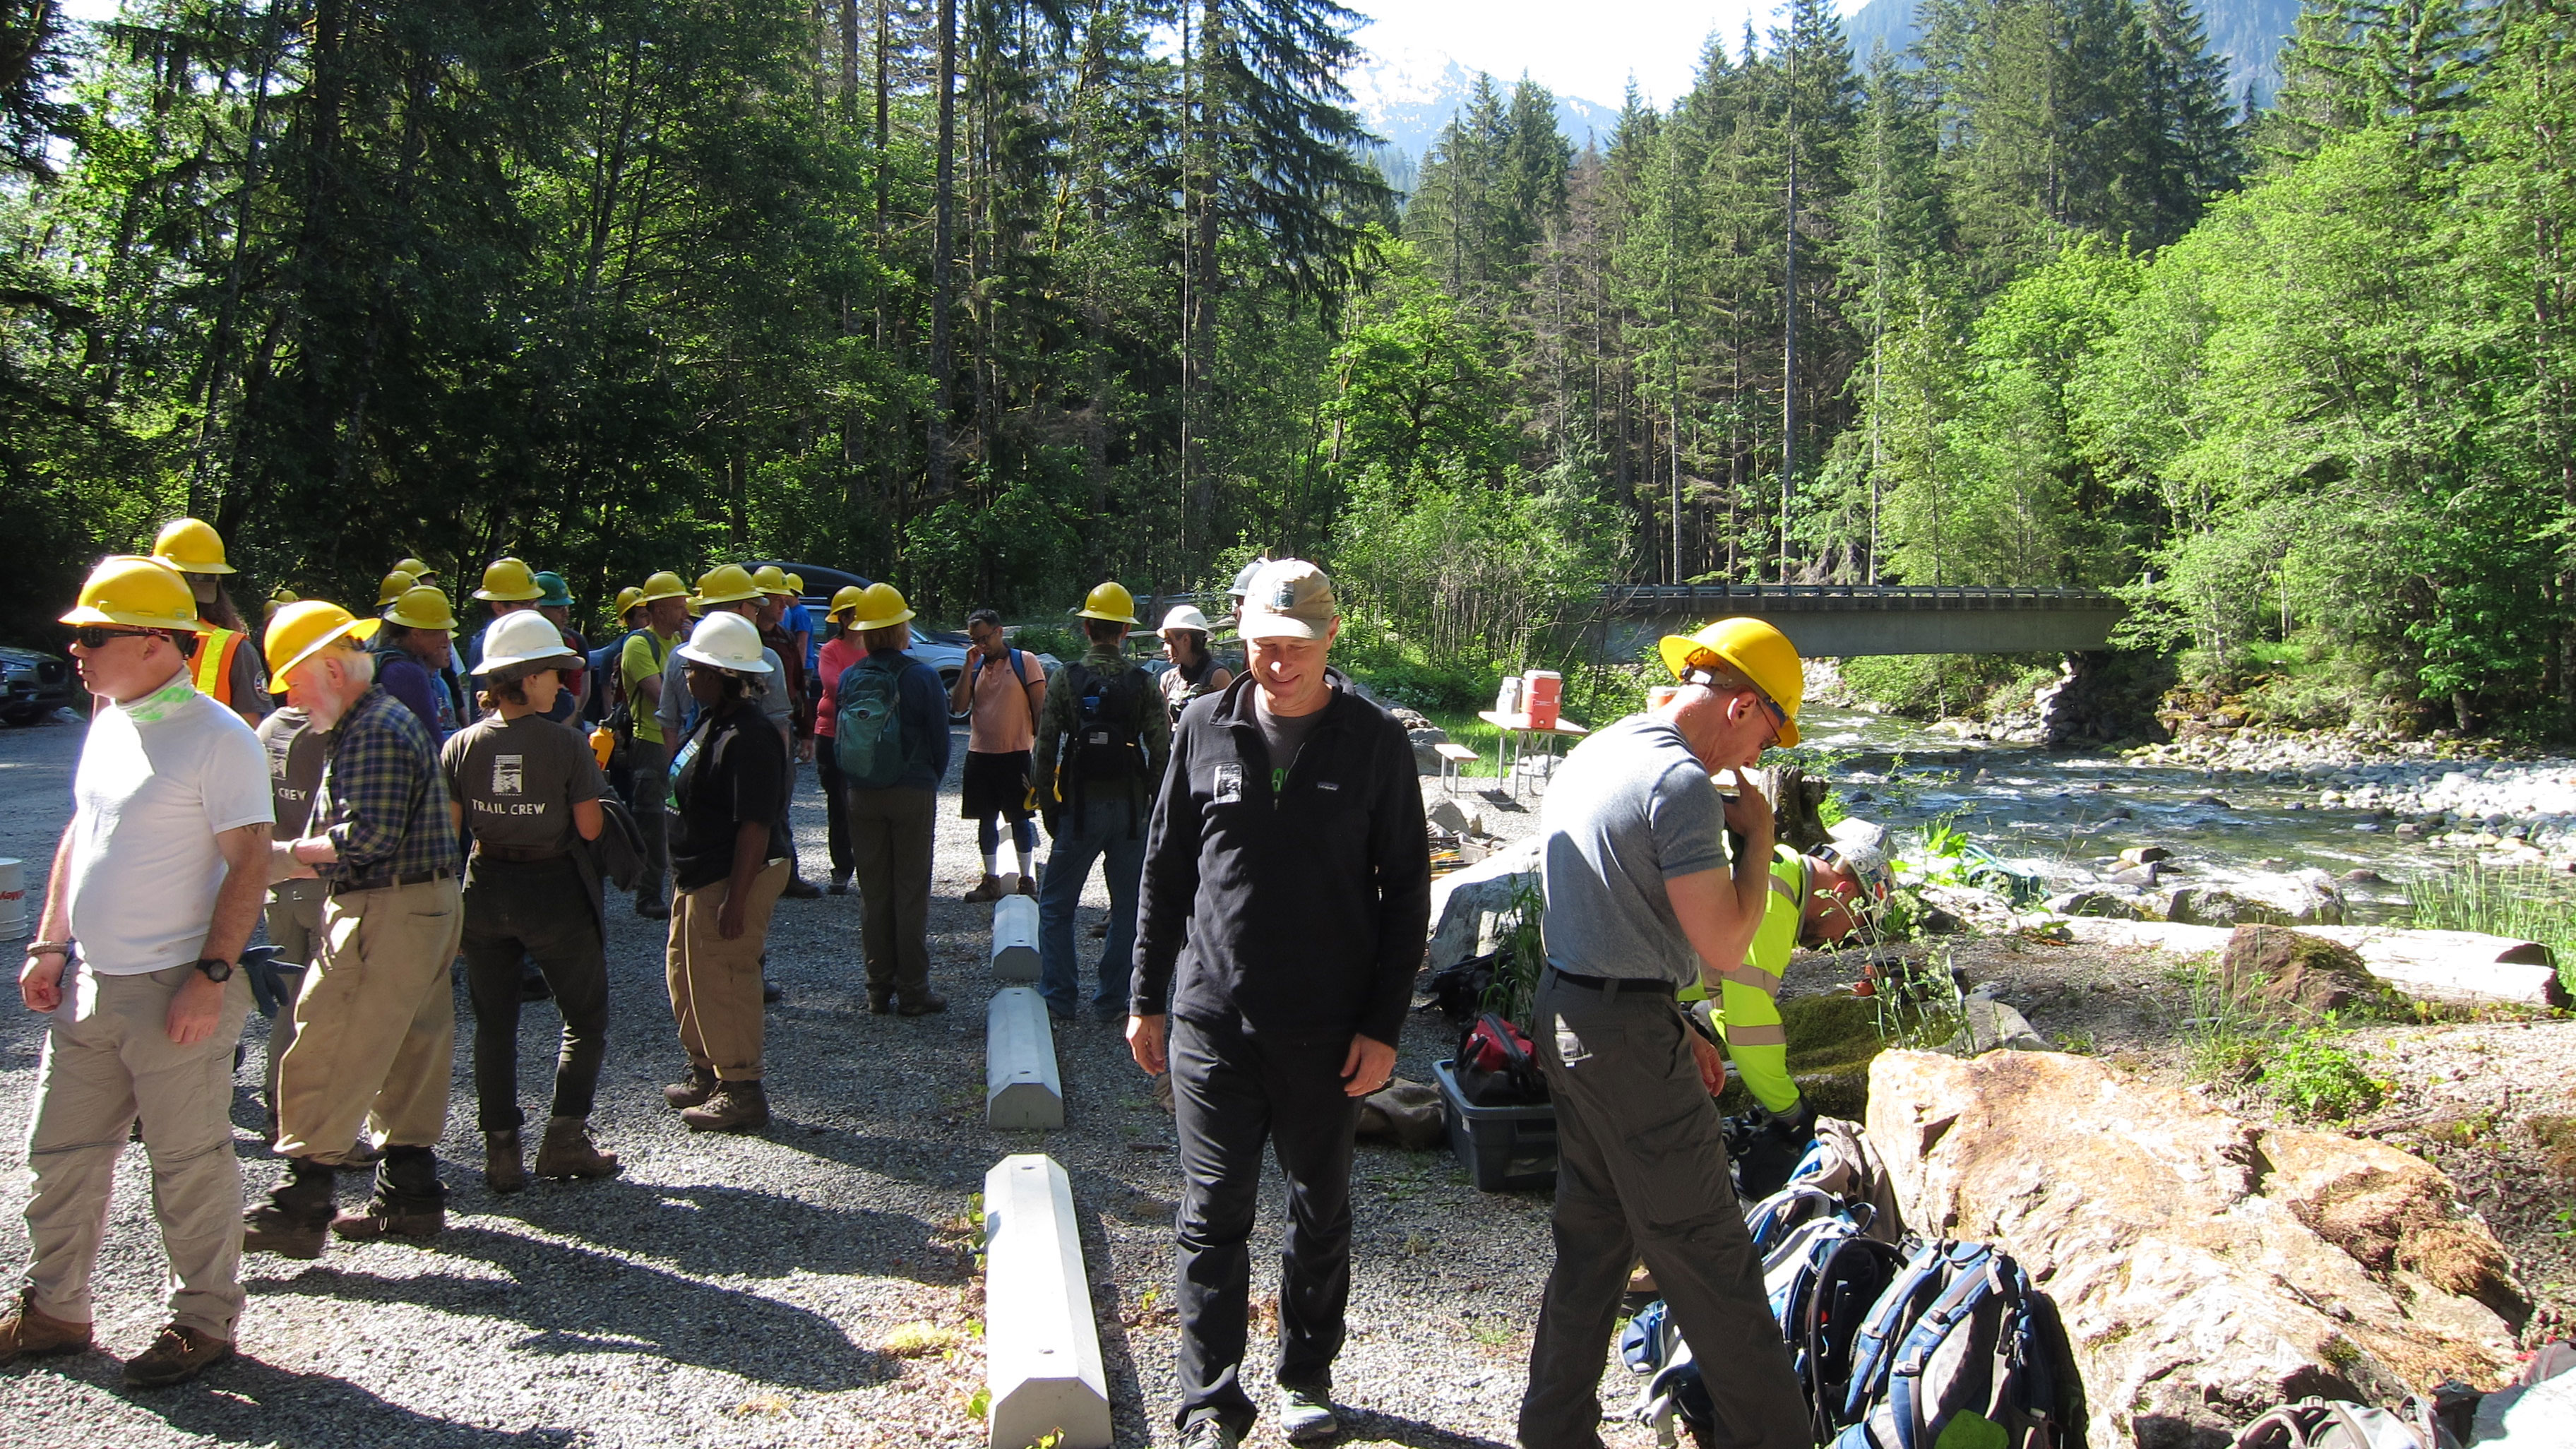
589 1303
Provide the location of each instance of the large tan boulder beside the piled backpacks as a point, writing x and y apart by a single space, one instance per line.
2204 1270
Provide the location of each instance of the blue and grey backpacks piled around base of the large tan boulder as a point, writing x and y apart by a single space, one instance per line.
1938 1345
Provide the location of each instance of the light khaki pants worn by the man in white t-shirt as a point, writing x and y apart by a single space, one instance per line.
109 1056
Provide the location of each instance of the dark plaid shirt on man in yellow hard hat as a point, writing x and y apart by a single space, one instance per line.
383 801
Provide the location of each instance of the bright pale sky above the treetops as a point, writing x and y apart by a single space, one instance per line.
1573 48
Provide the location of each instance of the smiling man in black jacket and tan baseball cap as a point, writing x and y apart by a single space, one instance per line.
1287 893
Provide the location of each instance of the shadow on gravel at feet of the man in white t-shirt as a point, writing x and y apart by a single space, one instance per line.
249 1401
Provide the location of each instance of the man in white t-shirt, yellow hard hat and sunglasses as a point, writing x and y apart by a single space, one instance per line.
153 893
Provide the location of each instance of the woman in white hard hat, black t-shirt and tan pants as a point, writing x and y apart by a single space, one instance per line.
730 862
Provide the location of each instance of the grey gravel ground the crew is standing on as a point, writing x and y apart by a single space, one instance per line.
743 1290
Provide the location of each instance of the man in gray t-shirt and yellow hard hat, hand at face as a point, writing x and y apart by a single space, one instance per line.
1642 899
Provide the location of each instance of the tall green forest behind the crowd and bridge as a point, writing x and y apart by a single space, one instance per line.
1001 298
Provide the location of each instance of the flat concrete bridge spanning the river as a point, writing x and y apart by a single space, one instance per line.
1830 620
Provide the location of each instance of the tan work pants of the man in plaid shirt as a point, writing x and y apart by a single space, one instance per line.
375 1025
